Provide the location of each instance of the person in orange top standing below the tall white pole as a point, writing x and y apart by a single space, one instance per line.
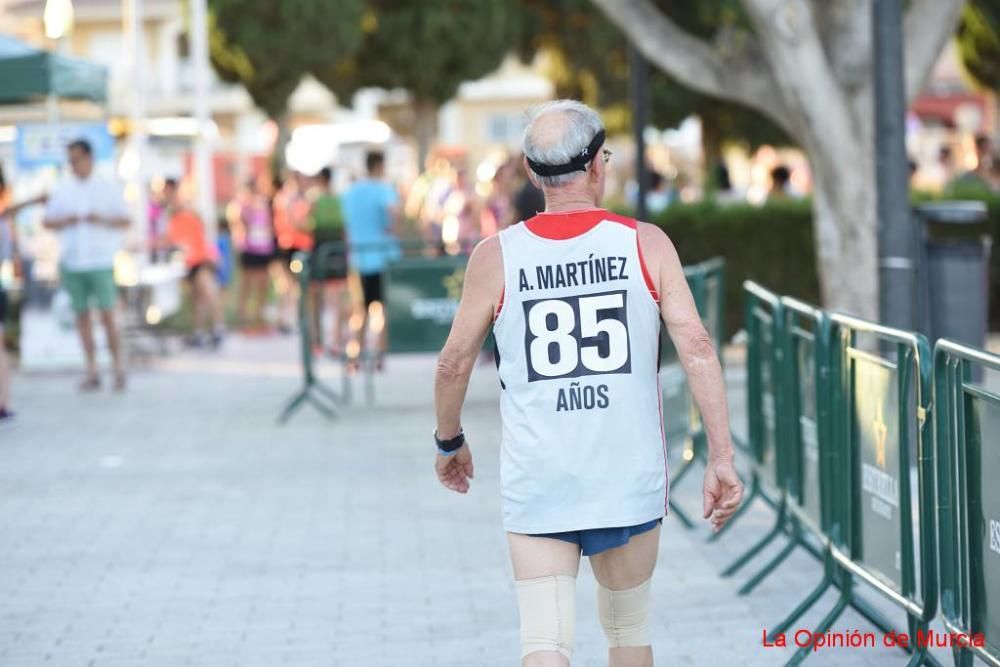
186 232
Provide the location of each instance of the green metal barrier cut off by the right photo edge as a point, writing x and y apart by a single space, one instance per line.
967 424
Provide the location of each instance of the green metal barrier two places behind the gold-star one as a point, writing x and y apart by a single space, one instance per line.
765 323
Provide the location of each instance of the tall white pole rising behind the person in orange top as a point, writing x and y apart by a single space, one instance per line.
203 171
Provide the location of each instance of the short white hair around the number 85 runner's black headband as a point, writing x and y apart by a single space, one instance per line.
580 127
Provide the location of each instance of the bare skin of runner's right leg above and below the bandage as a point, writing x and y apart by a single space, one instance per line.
622 568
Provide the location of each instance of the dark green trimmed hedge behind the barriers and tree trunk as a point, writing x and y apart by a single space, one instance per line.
773 245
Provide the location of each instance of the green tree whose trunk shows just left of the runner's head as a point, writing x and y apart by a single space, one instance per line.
428 48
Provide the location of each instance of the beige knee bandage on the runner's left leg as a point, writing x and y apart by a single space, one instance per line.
548 614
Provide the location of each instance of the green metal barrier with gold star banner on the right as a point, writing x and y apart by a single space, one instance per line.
880 413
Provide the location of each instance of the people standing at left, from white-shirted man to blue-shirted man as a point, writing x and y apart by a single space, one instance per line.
268 223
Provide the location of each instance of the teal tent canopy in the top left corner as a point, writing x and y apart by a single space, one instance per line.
28 74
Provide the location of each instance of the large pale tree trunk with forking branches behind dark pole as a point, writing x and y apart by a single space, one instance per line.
807 66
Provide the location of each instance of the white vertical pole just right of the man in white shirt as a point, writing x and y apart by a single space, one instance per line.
137 185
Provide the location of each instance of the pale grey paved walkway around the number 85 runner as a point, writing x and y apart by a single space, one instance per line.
179 525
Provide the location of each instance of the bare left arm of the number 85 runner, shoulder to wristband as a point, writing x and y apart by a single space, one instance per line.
480 294
